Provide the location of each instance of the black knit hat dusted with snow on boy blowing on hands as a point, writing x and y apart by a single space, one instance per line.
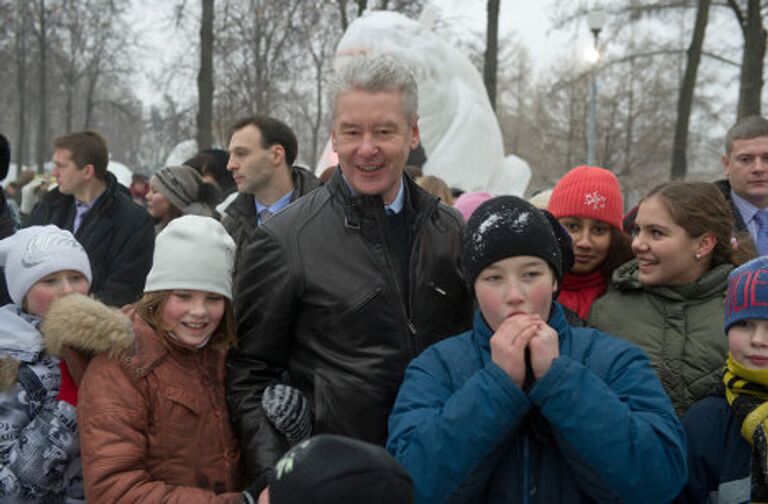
508 226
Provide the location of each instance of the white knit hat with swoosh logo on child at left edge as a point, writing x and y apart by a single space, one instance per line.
37 251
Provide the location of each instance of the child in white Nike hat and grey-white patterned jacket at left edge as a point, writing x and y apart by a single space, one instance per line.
39 447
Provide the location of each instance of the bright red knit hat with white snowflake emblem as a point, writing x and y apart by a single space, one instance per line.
588 192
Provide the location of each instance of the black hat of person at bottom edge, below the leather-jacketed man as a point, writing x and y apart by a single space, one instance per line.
330 469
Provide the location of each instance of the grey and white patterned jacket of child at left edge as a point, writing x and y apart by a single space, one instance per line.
39 444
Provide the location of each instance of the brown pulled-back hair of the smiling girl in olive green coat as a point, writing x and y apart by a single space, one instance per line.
699 208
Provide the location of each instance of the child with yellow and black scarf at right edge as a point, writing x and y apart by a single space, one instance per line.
728 436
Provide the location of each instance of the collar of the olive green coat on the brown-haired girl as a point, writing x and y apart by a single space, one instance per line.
711 283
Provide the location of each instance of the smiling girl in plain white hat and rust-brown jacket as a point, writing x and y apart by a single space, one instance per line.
154 421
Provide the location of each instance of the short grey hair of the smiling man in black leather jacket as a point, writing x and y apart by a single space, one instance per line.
376 72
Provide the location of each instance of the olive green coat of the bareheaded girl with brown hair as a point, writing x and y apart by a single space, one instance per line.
680 328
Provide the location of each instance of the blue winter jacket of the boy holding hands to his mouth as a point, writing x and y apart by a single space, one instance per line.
597 427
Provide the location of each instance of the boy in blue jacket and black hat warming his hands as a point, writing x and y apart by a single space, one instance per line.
524 407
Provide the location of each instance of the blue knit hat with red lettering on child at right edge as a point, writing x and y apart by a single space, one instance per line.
747 294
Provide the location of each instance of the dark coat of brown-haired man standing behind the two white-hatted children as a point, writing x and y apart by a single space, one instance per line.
117 234
